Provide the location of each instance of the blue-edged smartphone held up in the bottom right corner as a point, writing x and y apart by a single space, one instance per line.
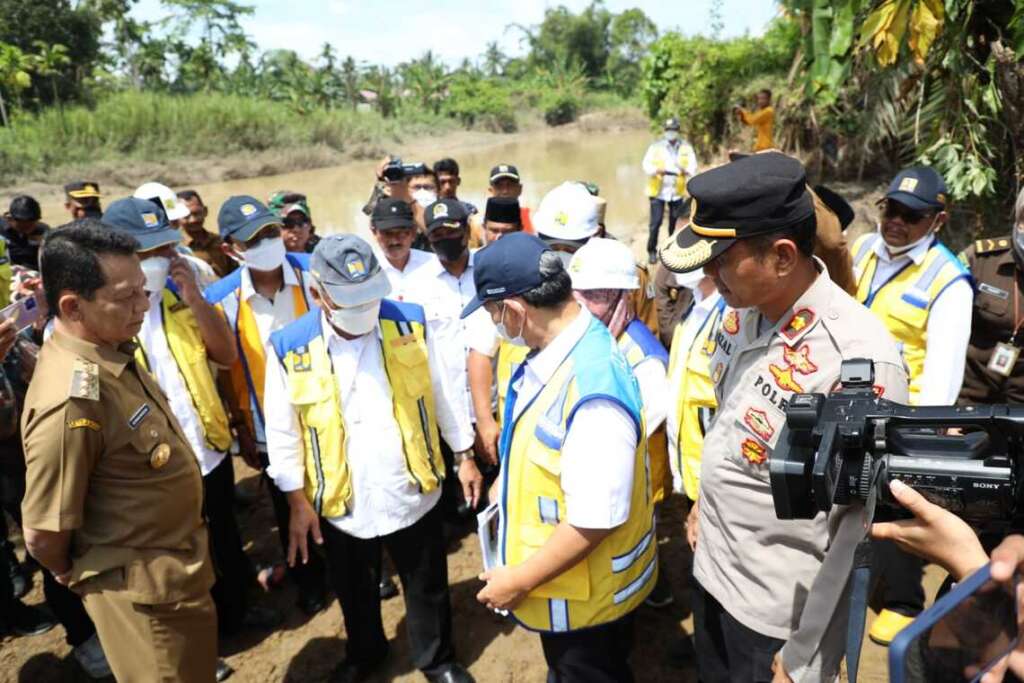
963 636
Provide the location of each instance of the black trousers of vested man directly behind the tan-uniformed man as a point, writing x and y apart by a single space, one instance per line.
235 572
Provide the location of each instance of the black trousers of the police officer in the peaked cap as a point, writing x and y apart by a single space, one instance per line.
727 651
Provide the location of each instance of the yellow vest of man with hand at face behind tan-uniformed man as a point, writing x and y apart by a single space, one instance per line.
189 352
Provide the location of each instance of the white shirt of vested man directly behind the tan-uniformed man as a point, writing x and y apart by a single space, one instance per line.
165 369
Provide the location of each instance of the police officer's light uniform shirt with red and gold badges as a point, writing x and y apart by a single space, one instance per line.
764 571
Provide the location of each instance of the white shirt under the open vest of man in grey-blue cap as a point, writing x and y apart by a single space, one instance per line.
383 499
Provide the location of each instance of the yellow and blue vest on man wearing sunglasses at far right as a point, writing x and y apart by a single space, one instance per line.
906 301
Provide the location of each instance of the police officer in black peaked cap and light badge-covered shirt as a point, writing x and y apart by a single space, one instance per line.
770 595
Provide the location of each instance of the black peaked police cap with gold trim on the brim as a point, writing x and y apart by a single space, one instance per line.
759 195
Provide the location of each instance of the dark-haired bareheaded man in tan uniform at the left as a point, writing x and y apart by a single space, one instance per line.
114 496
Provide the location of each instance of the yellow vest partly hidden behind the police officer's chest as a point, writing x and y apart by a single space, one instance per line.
697 404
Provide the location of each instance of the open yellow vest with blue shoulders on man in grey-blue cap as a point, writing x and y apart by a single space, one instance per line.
313 391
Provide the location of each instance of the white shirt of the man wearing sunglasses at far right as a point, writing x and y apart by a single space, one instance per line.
949 327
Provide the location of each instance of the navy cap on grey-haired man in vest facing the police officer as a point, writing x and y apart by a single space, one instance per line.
506 269
